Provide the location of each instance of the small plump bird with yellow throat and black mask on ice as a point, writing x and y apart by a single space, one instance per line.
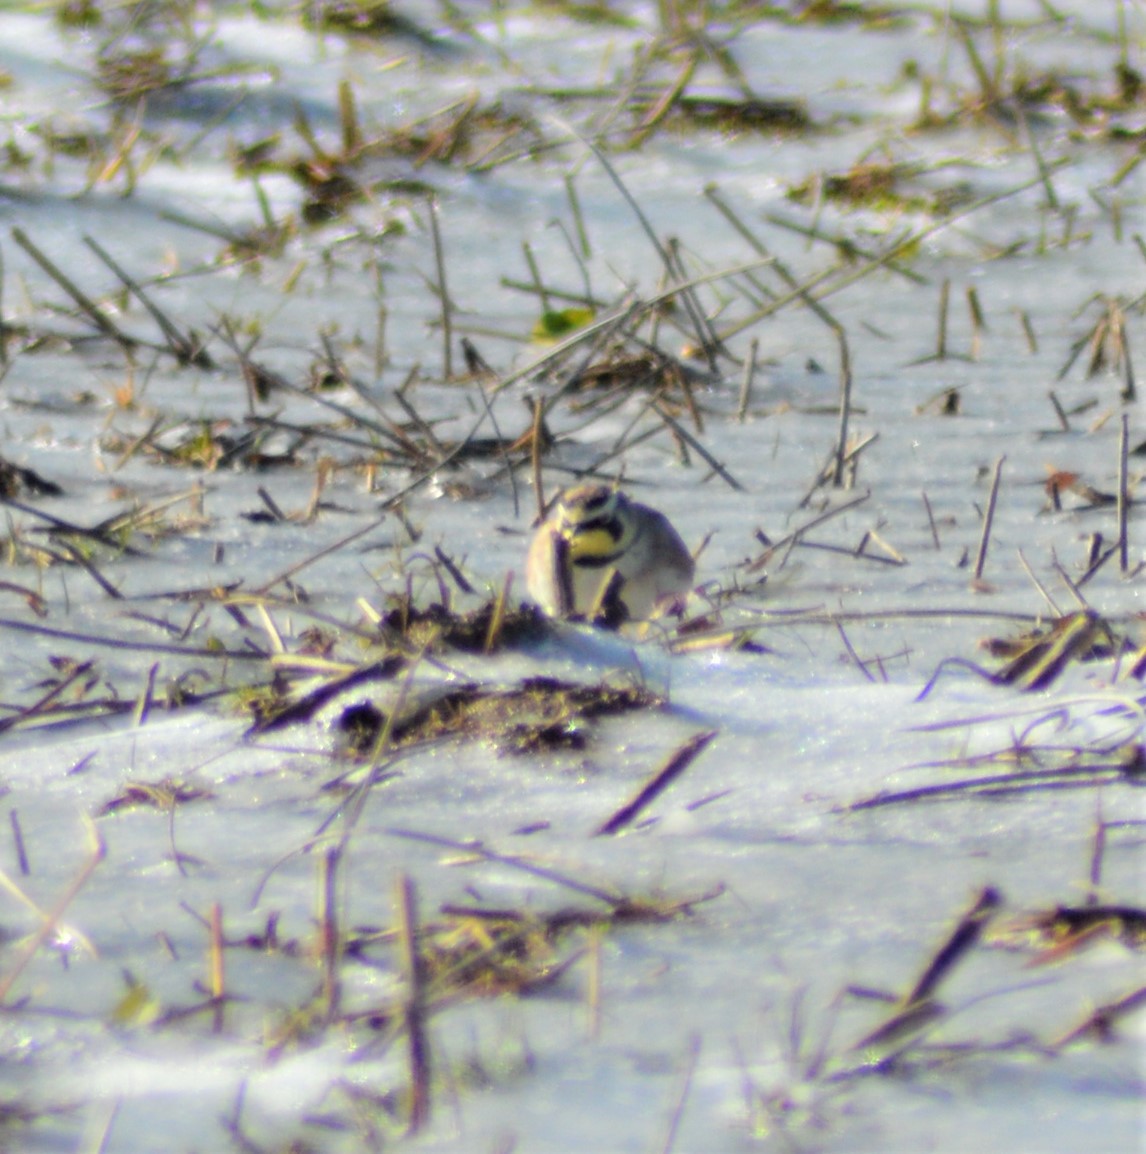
601 551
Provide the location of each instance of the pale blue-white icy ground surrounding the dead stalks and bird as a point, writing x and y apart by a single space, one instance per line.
806 898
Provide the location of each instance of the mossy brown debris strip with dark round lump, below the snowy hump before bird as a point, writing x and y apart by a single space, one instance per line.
538 715
